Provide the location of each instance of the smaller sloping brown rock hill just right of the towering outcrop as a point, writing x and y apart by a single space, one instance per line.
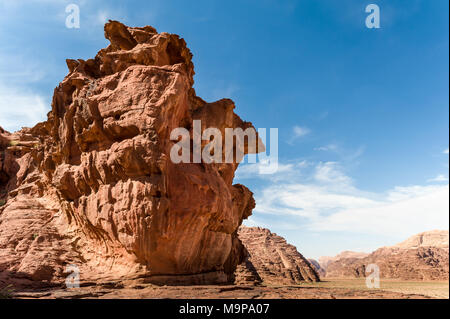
271 260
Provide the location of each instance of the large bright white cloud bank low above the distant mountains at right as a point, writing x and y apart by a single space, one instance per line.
327 200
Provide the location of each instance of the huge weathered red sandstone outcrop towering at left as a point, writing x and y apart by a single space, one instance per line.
94 185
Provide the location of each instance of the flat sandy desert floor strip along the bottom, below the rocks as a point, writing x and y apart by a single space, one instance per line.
328 289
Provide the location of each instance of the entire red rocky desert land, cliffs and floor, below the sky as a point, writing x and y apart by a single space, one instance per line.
94 191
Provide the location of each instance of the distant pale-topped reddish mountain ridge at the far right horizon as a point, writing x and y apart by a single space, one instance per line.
422 257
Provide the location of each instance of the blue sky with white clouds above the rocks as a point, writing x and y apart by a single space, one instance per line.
363 114
